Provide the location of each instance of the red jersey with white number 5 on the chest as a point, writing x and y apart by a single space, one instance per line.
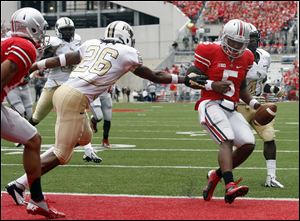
212 60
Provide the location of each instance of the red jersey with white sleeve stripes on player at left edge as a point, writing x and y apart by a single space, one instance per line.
23 53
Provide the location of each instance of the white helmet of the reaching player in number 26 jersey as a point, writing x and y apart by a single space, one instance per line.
121 32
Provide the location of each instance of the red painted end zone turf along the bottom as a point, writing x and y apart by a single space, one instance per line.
81 207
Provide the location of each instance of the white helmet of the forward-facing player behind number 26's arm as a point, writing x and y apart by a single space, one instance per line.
65 29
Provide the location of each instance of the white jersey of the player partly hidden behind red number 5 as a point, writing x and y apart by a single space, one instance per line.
258 73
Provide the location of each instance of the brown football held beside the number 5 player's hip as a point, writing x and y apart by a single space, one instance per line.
265 114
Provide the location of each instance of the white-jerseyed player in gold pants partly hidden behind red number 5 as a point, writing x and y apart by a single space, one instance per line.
257 85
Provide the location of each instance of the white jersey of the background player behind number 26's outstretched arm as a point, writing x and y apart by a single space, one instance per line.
59 75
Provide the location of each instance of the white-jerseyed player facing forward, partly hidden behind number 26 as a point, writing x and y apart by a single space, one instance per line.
65 41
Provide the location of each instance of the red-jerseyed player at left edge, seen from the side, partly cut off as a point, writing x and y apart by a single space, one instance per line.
28 28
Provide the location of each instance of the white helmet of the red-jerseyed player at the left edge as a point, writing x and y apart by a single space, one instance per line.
29 23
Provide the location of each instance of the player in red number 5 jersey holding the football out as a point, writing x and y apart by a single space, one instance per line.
226 64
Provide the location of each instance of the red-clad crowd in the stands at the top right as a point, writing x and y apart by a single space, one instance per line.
262 14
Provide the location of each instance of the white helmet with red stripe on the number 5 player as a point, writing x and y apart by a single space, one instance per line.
235 38
